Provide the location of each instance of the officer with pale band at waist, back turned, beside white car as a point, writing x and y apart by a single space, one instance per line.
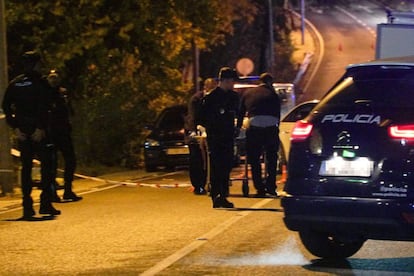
262 106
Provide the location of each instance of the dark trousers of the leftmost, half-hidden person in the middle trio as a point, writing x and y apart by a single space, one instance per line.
197 168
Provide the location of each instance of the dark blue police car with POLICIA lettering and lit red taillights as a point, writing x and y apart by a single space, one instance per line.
351 162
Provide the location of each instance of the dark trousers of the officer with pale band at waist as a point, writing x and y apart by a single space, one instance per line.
258 141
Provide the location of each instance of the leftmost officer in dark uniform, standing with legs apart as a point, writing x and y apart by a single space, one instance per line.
25 105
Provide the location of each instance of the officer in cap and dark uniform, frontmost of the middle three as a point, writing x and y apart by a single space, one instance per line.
219 110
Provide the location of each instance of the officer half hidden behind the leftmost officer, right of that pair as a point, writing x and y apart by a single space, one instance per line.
60 130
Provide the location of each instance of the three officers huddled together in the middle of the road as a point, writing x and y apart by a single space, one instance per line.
216 109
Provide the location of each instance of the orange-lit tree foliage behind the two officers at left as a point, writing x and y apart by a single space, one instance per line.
122 60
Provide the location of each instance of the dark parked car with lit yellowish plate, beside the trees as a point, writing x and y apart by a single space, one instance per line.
165 145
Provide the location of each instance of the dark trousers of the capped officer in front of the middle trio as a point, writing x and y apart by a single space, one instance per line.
221 163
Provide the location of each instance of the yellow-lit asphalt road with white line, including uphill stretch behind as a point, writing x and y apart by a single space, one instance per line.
155 225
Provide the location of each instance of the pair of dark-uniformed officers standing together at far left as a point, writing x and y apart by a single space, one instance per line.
36 107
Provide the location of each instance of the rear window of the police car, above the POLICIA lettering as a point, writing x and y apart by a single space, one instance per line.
382 86
